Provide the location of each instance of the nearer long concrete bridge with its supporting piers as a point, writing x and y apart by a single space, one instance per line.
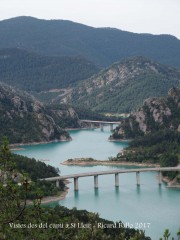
116 174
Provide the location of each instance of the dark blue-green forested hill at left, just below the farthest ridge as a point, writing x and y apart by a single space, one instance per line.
32 72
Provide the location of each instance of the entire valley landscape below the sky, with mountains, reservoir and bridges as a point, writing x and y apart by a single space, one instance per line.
61 82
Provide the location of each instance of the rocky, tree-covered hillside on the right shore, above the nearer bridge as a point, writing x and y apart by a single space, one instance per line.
155 133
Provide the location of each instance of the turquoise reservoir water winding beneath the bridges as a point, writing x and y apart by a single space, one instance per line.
150 206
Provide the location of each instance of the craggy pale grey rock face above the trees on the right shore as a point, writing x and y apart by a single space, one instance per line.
155 114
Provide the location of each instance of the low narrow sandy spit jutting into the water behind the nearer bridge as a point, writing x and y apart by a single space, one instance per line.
107 163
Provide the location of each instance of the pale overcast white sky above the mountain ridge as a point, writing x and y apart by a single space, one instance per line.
141 16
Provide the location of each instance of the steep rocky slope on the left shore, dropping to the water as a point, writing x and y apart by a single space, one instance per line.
24 119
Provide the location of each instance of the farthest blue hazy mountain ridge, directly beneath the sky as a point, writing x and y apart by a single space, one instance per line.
103 46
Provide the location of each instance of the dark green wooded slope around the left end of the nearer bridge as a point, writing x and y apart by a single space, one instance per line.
35 170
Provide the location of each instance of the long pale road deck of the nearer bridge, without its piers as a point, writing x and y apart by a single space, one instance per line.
165 169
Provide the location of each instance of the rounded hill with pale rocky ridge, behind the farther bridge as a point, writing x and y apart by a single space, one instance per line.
123 86
